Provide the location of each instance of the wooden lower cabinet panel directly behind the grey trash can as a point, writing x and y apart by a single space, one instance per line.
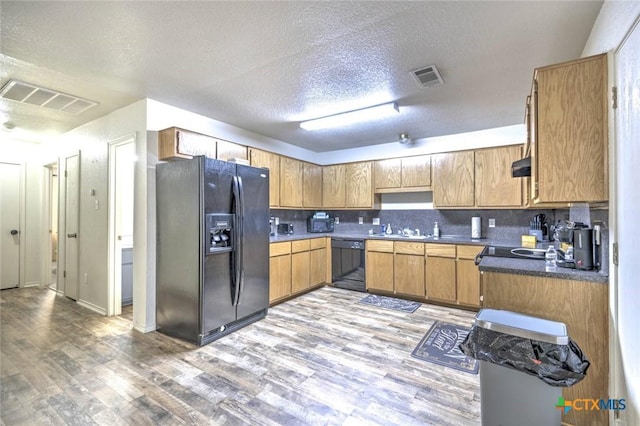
583 307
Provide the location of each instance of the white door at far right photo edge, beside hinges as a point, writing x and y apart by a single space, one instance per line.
627 208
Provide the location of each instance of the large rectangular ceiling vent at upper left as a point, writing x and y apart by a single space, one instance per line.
27 93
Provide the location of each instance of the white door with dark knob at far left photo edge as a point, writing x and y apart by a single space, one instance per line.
9 225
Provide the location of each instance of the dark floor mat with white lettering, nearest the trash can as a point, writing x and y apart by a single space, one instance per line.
440 346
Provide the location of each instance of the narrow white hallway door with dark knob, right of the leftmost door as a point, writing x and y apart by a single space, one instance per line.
72 194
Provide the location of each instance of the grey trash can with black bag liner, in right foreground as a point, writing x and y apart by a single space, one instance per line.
524 363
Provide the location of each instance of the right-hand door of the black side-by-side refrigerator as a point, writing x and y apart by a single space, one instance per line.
254 291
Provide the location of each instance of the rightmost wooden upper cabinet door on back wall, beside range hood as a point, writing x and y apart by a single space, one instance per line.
494 185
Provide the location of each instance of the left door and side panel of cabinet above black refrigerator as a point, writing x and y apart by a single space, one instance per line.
175 143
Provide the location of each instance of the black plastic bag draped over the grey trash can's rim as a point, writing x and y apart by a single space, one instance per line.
556 365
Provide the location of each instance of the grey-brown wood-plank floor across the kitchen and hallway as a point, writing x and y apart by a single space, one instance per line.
319 359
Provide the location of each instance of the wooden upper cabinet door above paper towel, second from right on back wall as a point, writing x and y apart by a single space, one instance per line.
454 179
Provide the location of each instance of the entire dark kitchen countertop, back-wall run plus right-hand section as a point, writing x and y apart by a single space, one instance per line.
489 264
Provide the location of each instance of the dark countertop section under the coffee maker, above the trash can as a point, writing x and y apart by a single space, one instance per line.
537 268
